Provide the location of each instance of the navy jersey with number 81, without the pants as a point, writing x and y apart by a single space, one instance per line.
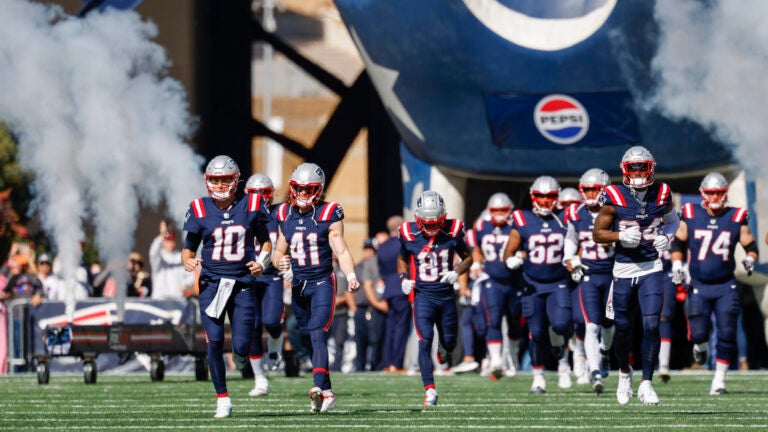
431 257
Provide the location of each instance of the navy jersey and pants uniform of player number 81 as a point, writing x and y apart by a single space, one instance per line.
434 302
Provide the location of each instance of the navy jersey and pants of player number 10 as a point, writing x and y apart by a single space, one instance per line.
227 237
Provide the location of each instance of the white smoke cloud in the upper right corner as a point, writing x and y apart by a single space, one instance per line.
711 61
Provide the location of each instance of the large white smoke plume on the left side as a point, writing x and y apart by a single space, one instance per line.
99 123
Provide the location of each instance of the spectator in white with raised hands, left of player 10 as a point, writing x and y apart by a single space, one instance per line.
169 280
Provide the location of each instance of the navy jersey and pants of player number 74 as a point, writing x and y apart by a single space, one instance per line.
711 243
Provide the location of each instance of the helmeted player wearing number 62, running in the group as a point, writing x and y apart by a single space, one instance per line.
536 244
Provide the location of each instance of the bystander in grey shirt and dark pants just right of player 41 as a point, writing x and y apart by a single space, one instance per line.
371 310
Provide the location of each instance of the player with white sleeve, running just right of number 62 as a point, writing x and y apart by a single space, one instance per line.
590 265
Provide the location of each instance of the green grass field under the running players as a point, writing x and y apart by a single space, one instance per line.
377 402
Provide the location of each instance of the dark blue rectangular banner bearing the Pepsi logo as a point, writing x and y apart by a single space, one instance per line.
555 120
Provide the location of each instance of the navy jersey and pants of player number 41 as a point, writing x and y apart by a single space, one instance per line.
313 287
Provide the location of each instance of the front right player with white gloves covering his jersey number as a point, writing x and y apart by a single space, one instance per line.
639 218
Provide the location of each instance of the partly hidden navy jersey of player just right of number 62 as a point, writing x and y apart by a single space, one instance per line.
598 257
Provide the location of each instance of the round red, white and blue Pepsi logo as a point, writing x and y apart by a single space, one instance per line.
561 119
